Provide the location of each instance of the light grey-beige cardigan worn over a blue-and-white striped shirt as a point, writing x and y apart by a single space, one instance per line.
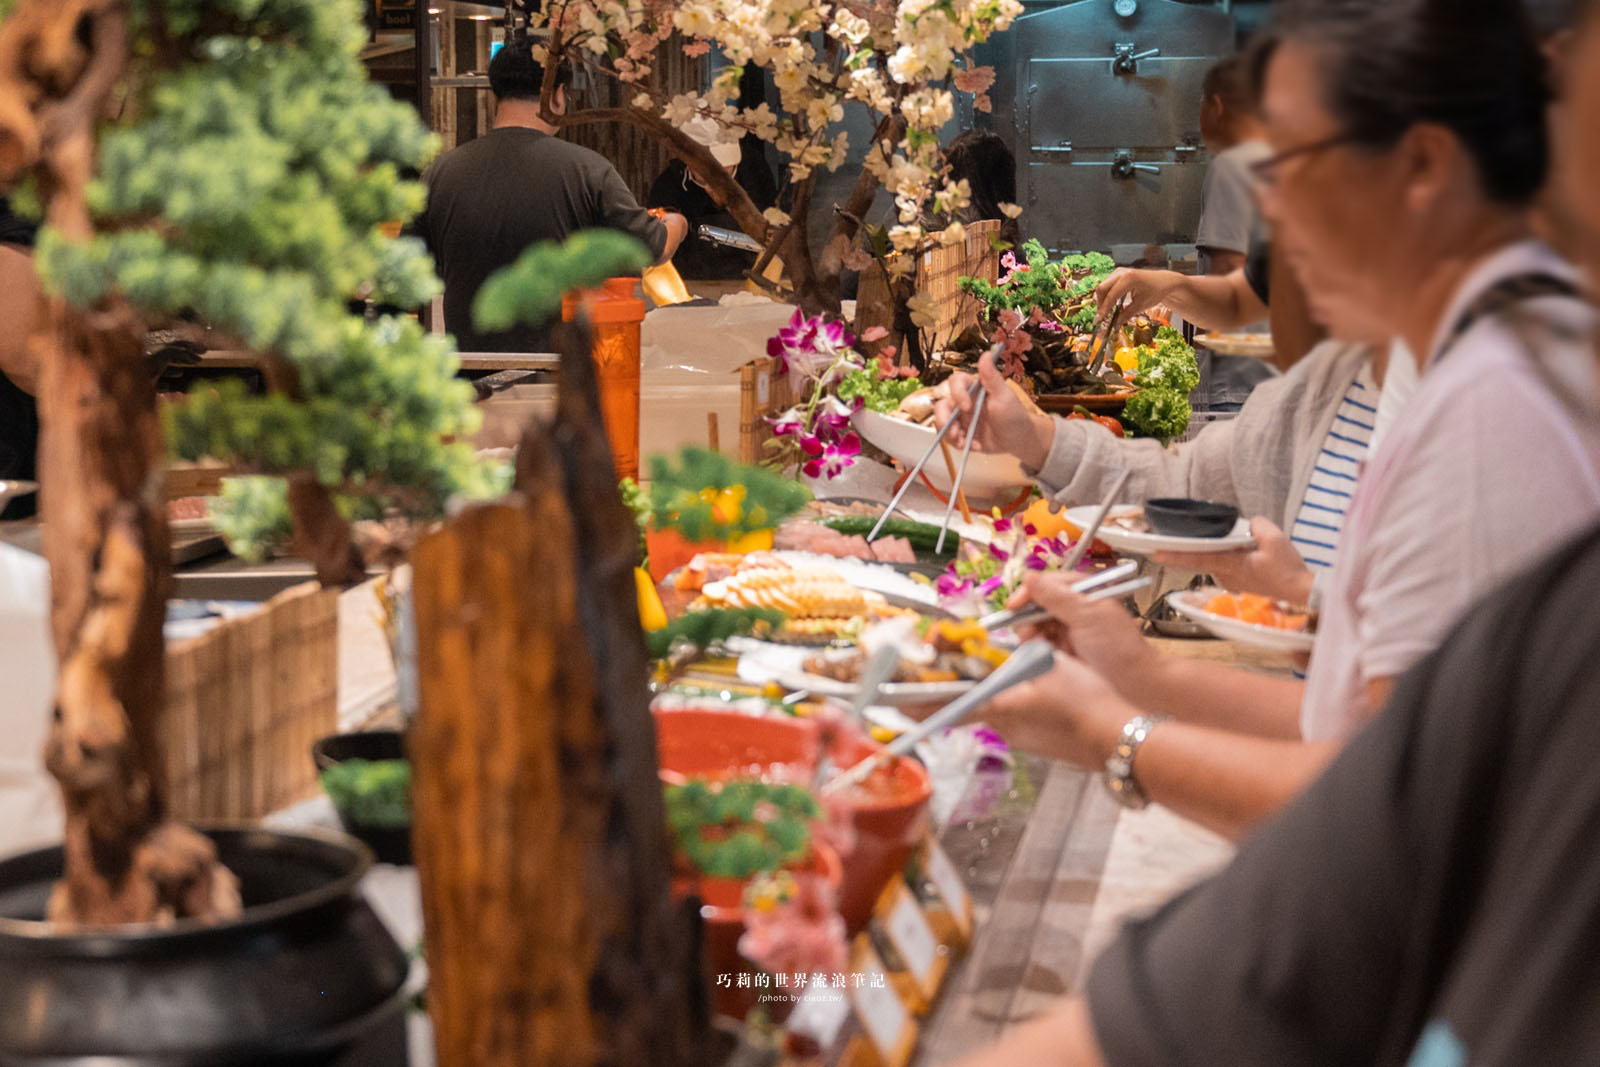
1262 462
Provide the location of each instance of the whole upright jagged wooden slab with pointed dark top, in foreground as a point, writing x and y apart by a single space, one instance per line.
538 823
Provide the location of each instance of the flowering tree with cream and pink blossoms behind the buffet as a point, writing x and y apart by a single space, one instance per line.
900 62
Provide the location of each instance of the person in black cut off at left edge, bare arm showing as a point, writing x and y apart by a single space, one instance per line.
18 375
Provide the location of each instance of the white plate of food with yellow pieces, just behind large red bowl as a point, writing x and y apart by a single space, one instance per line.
950 660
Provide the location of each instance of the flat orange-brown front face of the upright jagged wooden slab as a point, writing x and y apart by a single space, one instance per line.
508 791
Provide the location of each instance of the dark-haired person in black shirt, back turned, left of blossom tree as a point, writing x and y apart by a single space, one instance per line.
519 185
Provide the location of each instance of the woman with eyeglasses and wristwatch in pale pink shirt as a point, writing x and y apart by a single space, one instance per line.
1382 138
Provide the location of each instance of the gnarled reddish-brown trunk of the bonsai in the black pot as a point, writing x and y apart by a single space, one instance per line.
102 463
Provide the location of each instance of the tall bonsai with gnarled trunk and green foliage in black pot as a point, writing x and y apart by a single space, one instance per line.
218 162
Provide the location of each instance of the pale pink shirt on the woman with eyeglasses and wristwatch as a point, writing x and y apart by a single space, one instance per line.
1494 465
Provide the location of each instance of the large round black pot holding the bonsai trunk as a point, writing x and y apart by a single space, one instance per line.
308 975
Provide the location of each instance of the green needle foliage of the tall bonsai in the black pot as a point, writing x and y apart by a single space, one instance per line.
247 193
